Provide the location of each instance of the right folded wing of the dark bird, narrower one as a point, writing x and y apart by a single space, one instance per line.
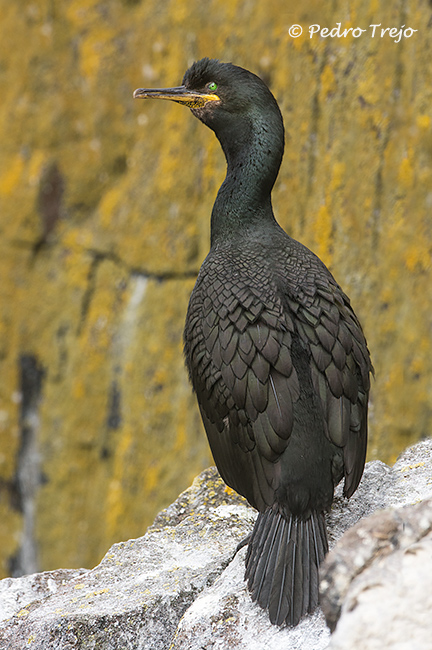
340 368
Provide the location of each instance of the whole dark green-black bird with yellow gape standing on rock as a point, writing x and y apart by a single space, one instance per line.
275 353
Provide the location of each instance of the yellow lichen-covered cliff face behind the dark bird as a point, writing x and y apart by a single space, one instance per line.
104 220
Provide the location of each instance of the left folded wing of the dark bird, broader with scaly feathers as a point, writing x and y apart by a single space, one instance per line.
242 371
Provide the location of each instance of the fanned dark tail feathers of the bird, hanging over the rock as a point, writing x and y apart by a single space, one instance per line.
282 562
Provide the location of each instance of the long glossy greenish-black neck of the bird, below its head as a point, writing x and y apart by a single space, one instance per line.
243 204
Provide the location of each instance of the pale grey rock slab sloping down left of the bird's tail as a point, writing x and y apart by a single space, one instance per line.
136 596
